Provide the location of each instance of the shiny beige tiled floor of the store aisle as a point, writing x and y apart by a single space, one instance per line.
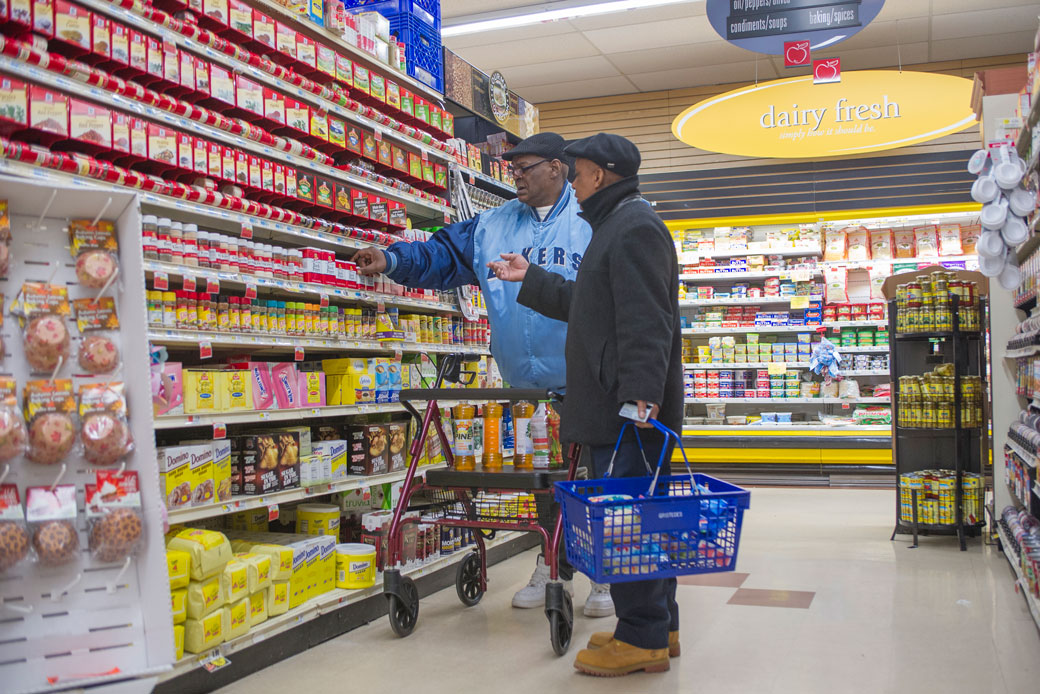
879 619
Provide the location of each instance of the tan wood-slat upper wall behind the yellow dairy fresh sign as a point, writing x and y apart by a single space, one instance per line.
646 119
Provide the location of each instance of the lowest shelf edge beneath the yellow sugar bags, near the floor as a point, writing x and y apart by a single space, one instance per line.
322 605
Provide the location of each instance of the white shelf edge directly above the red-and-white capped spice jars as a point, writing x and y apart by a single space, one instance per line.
214 218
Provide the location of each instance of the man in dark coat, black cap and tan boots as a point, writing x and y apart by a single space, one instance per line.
625 345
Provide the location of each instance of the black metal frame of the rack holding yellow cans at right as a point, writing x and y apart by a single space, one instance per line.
964 449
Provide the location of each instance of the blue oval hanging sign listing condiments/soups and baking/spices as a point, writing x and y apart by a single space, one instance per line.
764 27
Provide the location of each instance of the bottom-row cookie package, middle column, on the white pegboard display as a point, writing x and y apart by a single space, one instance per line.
51 513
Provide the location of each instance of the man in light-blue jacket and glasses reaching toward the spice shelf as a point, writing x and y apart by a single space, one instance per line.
543 225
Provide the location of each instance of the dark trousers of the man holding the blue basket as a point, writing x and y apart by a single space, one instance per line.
646 610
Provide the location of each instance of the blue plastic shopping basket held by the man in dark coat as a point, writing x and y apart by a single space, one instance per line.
638 529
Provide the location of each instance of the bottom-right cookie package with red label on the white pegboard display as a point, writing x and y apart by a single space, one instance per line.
114 518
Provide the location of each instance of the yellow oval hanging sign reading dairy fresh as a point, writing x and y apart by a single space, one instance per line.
868 112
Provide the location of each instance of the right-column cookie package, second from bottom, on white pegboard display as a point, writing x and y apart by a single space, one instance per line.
105 431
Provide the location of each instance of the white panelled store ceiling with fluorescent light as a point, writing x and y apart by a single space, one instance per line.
674 46
